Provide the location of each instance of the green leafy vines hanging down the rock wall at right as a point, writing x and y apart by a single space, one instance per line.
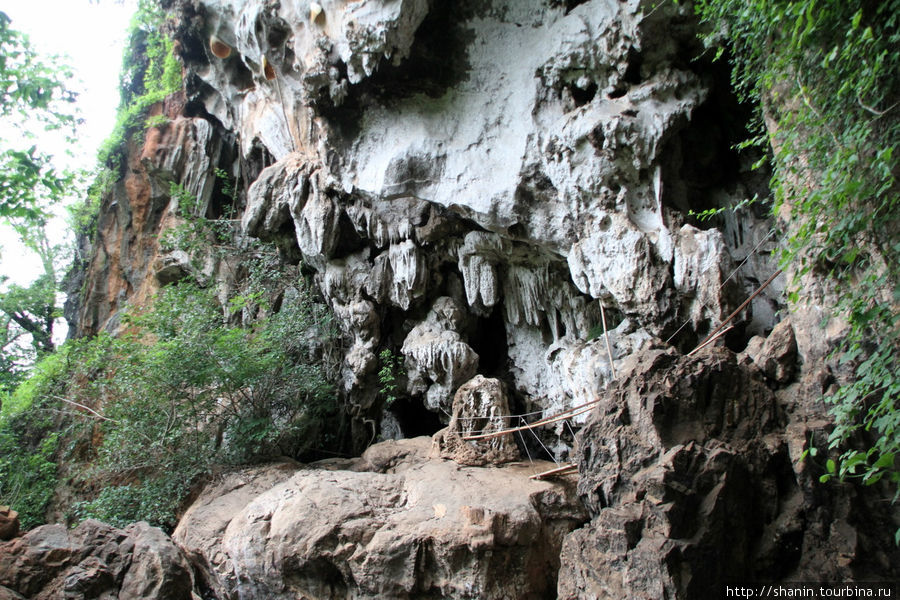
826 73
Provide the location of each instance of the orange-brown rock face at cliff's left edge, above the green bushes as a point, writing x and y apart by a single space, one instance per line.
125 262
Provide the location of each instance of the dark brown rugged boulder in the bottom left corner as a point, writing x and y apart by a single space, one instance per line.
94 560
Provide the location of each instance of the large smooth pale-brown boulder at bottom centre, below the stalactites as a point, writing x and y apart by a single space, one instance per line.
392 524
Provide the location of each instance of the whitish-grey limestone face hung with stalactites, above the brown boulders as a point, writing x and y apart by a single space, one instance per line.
471 181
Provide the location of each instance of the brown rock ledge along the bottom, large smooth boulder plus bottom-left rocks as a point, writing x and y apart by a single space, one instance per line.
391 524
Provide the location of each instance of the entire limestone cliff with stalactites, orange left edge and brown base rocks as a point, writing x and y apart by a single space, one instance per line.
482 188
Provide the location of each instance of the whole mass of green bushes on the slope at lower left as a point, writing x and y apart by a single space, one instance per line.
182 391
